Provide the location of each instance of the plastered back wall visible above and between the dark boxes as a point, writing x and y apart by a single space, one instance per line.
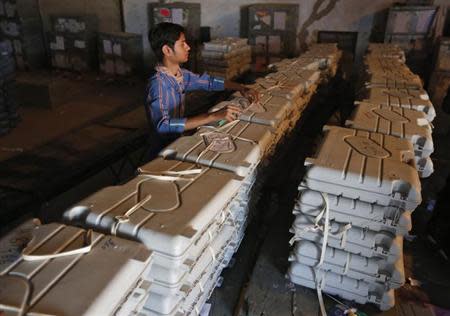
223 16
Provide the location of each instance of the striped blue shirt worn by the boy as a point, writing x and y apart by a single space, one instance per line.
165 97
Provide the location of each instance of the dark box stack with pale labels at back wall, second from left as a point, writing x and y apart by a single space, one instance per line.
73 42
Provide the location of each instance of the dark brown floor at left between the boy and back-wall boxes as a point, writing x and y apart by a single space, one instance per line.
40 125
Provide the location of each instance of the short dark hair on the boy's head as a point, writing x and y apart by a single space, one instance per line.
164 34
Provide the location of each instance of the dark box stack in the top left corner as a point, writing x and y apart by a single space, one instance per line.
21 27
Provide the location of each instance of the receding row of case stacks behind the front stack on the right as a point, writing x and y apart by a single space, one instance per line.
393 101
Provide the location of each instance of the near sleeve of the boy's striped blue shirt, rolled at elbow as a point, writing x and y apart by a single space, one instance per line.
158 103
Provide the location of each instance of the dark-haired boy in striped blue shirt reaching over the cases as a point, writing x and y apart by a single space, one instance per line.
165 100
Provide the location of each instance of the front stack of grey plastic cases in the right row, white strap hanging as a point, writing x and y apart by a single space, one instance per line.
351 214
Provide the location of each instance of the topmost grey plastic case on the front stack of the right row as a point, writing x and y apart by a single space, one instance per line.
371 167
